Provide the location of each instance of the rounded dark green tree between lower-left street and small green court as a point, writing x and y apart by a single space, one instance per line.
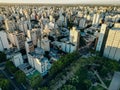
20 76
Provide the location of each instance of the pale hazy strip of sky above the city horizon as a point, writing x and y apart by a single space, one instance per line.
64 1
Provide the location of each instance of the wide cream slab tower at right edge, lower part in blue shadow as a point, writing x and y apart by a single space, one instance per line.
112 47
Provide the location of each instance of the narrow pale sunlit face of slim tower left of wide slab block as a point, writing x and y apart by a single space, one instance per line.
101 37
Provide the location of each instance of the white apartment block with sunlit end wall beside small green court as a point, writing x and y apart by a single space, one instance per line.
38 61
